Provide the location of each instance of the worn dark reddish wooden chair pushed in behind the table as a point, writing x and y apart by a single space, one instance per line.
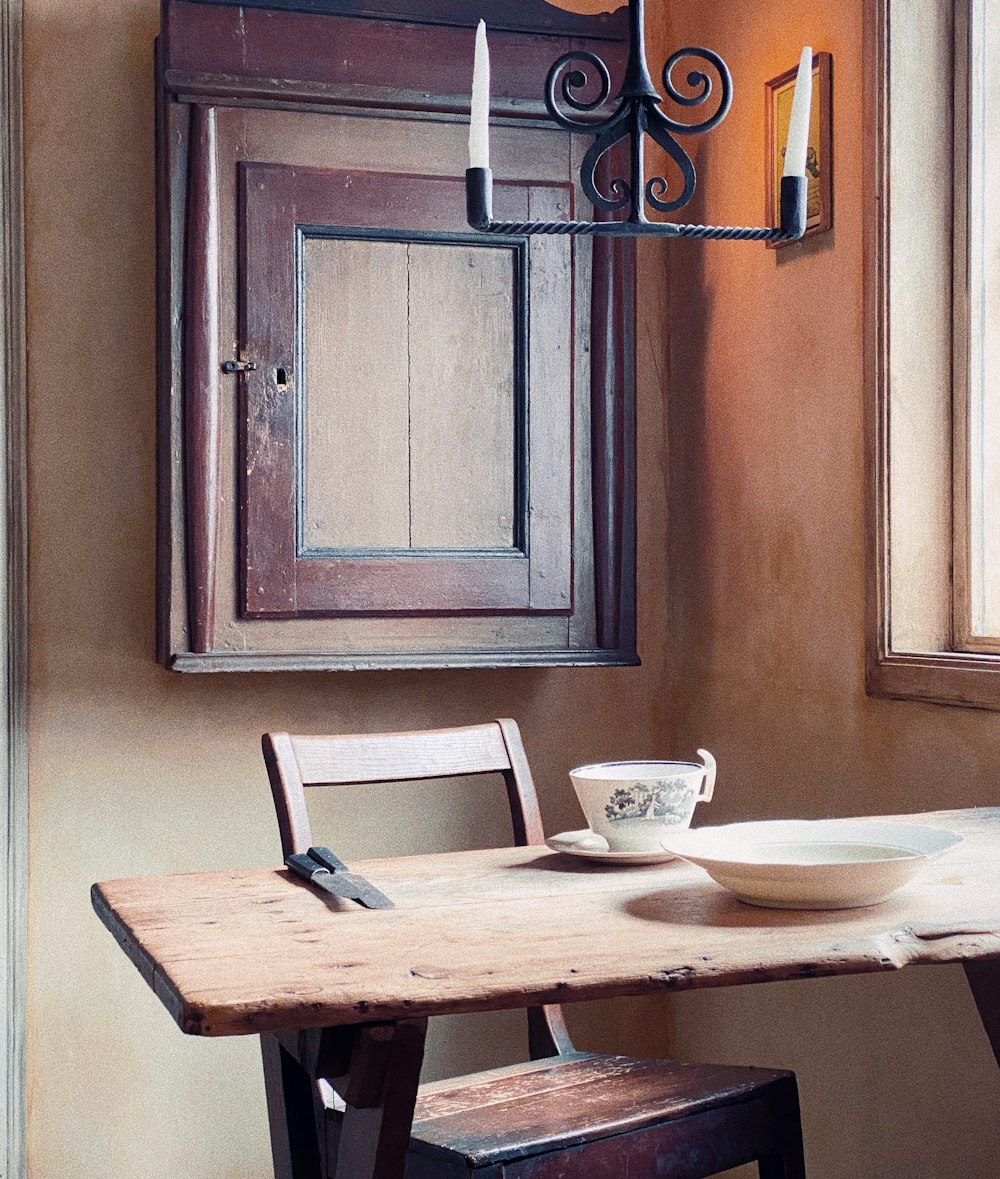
567 1115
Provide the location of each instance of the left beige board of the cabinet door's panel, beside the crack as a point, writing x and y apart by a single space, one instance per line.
354 396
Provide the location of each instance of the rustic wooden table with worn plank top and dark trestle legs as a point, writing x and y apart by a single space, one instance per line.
347 991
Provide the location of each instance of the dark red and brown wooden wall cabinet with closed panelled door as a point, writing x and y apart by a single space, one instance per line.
385 440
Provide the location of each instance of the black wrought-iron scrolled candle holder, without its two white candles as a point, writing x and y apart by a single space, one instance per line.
637 114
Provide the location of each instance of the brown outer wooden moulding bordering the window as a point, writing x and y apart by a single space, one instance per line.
940 676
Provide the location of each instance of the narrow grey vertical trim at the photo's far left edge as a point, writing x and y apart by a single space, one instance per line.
14 598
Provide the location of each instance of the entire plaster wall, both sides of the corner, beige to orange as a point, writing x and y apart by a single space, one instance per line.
135 770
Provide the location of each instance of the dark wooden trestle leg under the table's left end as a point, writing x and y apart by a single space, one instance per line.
374 1070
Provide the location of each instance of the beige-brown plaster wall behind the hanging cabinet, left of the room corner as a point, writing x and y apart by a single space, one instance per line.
137 770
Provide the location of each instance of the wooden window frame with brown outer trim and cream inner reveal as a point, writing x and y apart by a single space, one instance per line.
917 115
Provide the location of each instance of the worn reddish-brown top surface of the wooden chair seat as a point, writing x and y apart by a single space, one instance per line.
562 1103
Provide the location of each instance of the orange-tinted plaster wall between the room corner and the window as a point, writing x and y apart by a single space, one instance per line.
766 622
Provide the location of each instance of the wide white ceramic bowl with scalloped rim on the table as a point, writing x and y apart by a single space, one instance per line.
812 865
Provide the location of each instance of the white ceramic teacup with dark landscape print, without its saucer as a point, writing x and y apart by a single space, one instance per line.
635 805
